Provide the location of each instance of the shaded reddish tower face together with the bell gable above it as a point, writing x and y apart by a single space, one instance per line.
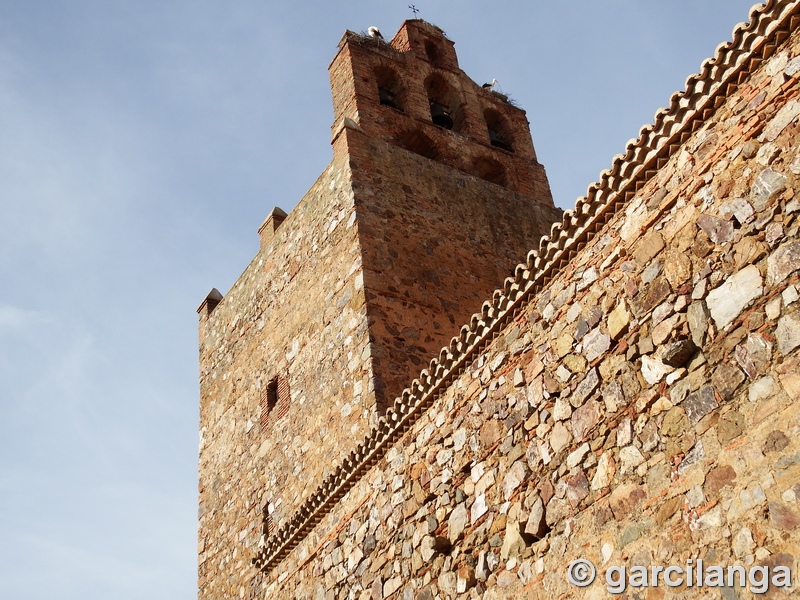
448 190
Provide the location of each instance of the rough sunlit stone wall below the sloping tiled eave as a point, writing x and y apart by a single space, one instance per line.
642 409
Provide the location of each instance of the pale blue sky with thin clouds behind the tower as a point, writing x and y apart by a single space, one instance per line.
141 145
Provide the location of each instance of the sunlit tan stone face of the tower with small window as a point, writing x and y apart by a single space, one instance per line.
297 311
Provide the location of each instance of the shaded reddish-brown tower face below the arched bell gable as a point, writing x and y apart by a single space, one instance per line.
435 243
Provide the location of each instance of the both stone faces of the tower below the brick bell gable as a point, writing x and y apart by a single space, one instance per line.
319 305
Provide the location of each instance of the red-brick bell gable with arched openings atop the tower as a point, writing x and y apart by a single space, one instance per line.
411 92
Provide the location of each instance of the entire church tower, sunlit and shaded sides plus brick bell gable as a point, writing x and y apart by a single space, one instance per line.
433 195
